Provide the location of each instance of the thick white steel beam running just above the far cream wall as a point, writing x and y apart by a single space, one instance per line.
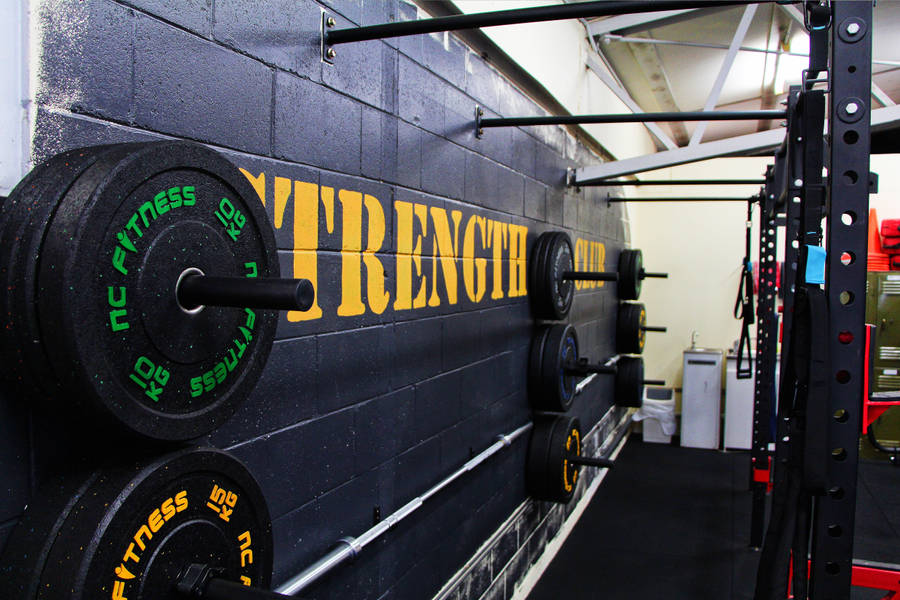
736 146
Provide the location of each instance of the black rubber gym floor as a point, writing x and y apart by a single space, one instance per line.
672 522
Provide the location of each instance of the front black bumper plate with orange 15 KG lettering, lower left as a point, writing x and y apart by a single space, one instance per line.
135 529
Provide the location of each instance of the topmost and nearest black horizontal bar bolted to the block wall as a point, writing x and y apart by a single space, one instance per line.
514 16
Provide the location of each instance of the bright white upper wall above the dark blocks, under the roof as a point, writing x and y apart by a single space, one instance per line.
555 53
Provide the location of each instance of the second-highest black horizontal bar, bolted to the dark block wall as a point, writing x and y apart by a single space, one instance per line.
704 115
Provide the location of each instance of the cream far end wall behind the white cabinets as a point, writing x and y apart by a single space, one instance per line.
701 246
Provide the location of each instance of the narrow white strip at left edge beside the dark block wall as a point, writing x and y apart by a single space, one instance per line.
15 143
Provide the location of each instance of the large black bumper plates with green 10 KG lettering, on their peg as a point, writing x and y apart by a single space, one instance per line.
139 283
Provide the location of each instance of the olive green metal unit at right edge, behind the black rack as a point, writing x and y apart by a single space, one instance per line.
883 310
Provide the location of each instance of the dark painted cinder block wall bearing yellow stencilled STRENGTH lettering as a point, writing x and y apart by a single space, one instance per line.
357 413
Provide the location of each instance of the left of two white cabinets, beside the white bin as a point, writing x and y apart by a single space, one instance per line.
701 397
